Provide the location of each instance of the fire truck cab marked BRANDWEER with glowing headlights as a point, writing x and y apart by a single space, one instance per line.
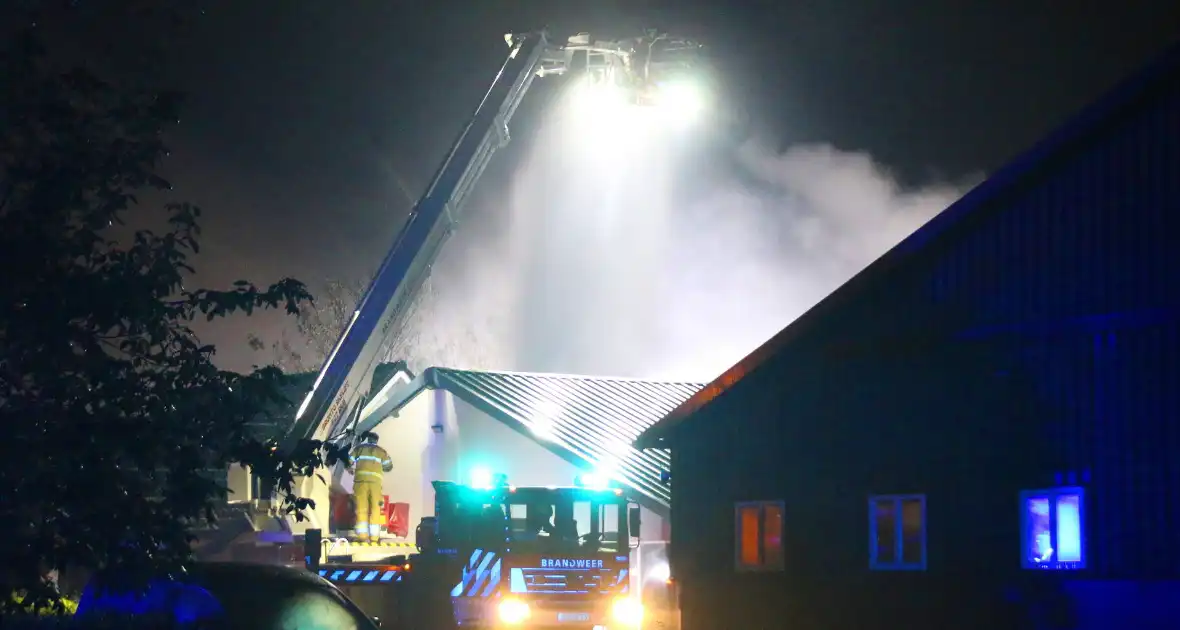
535 557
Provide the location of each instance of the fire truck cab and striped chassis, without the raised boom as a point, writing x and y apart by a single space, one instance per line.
502 556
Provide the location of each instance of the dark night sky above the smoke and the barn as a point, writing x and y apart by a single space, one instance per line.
311 121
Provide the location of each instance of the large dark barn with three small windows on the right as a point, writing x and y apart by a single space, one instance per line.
981 430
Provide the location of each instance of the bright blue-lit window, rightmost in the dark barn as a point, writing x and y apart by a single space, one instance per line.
1053 534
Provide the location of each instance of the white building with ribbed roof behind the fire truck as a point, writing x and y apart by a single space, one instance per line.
540 430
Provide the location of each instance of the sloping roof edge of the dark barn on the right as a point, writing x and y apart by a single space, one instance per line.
982 201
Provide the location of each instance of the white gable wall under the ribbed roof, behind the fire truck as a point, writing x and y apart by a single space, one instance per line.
469 439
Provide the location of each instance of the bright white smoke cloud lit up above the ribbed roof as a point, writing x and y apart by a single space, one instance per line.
646 251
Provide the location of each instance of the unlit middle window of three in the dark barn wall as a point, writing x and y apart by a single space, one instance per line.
897 533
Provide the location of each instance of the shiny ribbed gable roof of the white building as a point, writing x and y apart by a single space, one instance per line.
591 422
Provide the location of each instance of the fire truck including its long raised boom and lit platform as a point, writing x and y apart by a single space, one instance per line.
477 562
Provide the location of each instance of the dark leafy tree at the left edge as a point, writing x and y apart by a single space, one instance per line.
119 429
